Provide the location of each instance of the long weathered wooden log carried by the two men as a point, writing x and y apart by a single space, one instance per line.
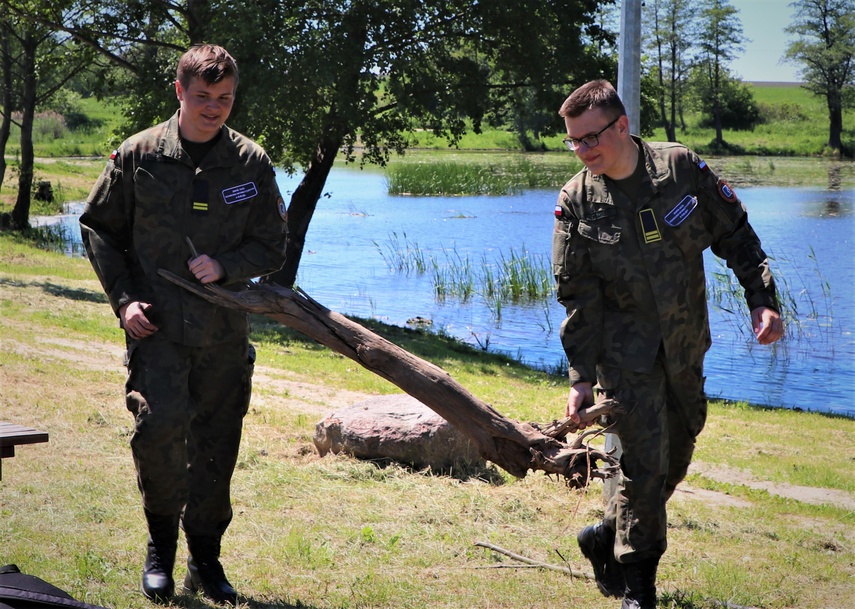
514 446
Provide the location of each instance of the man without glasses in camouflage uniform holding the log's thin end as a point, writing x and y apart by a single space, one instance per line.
188 184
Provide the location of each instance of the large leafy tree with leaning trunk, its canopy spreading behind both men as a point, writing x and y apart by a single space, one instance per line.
320 77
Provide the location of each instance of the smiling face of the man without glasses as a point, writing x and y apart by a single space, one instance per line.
204 107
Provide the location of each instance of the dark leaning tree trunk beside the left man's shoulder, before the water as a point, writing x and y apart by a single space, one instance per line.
302 207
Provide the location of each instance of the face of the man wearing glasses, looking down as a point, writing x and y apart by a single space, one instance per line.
607 157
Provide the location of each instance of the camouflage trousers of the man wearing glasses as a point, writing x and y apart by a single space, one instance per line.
663 414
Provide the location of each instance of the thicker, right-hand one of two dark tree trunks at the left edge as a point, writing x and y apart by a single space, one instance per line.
21 212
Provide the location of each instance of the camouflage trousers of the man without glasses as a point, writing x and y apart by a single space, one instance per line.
188 404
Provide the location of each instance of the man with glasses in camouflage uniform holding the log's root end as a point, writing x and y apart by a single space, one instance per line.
630 232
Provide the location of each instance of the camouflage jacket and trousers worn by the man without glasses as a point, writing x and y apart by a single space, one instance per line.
189 383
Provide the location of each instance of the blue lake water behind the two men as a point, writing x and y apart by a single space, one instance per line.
809 232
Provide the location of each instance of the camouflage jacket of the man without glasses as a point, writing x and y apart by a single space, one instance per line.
151 197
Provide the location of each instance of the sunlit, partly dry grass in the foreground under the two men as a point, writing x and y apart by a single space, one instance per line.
337 533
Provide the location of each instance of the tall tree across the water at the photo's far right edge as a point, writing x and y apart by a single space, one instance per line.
825 50
